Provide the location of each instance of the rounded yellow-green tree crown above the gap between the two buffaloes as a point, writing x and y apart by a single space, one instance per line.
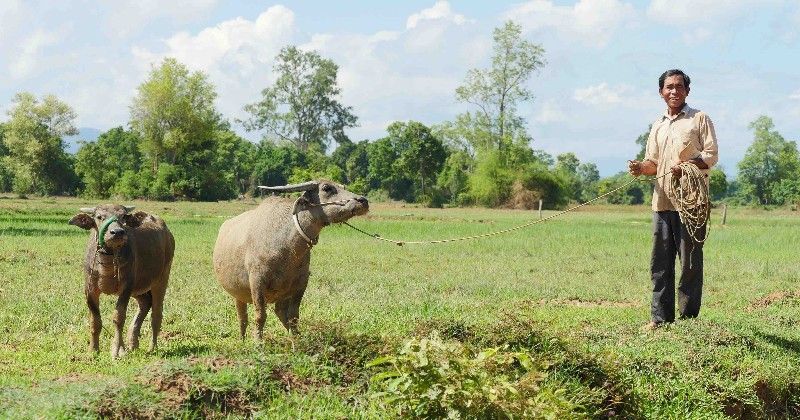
173 112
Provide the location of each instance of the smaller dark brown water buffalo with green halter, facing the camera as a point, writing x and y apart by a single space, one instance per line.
128 254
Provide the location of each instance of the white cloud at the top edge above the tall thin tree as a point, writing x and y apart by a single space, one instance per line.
592 22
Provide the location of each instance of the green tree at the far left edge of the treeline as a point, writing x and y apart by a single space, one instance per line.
33 140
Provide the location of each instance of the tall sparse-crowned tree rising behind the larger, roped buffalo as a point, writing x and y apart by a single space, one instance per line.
301 107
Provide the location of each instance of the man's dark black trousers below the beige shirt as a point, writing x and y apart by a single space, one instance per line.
670 239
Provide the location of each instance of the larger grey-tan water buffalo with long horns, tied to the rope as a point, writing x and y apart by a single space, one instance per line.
262 256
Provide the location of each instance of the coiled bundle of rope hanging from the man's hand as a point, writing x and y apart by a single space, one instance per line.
689 194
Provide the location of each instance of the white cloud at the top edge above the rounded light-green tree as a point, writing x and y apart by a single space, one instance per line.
130 16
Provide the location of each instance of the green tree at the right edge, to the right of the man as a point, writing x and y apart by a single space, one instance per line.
767 161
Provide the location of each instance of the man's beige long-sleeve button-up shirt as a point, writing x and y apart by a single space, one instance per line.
678 138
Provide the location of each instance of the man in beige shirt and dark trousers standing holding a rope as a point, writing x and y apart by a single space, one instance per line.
682 134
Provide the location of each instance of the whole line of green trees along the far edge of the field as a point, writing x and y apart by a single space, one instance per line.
176 144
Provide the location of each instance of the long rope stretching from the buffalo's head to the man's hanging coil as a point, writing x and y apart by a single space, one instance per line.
688 208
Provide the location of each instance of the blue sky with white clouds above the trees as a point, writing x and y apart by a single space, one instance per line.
403 60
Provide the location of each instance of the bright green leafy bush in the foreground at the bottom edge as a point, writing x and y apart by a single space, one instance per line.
431 378
